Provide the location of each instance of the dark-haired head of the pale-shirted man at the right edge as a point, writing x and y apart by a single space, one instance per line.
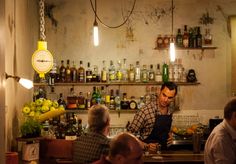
230 112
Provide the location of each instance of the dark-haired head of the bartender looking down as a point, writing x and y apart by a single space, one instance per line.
167 93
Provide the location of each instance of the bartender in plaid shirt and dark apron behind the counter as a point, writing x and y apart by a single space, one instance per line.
152 123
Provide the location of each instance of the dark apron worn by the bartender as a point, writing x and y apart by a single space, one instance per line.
160 131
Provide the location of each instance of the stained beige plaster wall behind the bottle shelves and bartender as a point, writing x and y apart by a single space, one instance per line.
72 39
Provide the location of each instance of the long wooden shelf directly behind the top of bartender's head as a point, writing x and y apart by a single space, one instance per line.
113 84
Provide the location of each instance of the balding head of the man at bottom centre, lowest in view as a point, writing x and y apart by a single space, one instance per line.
125 149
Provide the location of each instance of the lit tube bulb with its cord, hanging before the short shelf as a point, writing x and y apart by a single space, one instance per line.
172 44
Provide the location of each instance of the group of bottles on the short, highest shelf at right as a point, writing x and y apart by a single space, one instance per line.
190 38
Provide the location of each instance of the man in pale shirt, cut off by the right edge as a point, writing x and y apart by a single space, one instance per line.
220 147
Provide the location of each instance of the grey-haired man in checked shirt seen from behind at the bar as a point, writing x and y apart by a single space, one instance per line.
90 146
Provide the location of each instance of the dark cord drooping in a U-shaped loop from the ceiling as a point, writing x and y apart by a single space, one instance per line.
96 16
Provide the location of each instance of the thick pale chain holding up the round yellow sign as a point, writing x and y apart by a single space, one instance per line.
42 35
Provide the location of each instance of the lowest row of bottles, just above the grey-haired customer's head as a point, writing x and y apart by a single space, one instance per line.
112 98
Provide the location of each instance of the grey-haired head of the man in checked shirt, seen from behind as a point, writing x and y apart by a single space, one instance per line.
98 118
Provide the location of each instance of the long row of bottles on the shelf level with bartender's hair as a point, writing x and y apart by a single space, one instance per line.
114 73
